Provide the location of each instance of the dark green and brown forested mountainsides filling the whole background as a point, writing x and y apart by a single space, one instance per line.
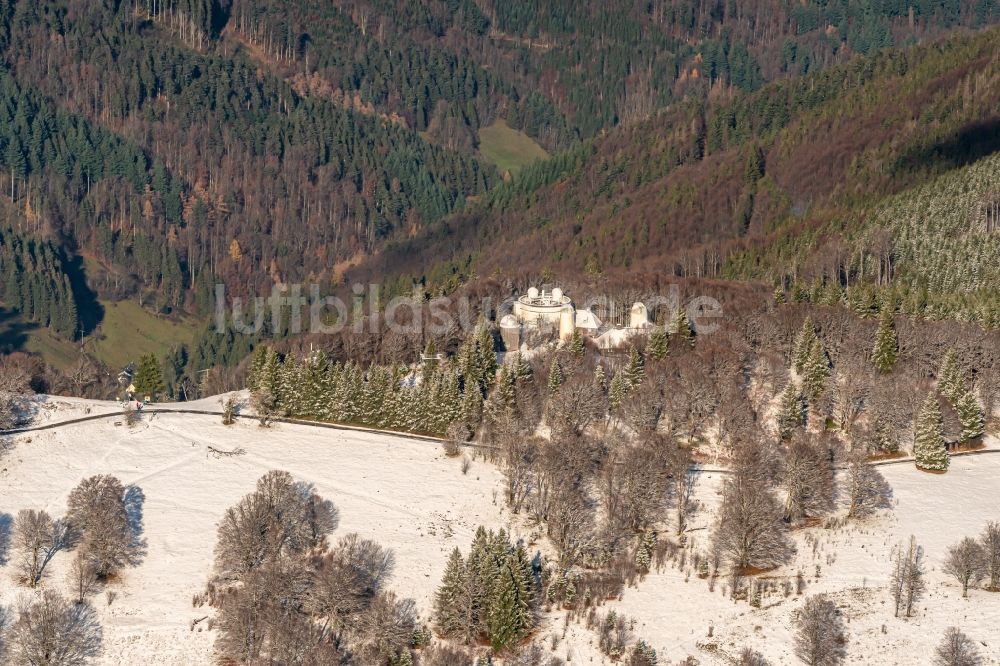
175 144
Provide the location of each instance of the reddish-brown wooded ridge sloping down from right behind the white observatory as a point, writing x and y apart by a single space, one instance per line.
785 184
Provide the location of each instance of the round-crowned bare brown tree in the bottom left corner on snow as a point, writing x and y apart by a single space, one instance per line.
55 632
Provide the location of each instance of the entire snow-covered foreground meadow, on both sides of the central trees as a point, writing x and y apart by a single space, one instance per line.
408 496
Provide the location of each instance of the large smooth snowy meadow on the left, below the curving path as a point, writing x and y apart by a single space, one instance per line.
403 493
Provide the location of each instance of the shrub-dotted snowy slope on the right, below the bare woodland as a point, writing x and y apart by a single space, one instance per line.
674 616
